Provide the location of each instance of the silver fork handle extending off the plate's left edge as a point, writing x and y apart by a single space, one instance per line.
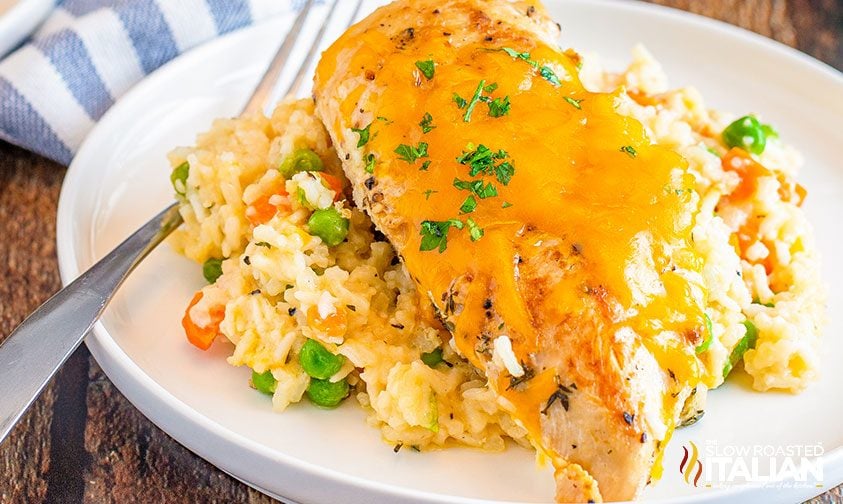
39 346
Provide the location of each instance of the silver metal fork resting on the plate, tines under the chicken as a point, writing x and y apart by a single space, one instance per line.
37 348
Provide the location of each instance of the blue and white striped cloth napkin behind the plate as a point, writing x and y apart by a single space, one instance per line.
88 53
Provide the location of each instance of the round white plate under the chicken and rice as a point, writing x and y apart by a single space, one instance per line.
120 178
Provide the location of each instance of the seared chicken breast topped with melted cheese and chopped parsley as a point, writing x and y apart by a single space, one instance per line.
552 238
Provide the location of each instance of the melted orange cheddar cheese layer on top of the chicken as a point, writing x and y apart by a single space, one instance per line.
630 216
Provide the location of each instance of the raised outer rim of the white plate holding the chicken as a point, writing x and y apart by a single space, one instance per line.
127 375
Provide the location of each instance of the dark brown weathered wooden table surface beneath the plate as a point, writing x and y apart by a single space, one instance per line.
83 441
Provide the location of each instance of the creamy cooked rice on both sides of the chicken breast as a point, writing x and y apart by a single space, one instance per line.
278 279
